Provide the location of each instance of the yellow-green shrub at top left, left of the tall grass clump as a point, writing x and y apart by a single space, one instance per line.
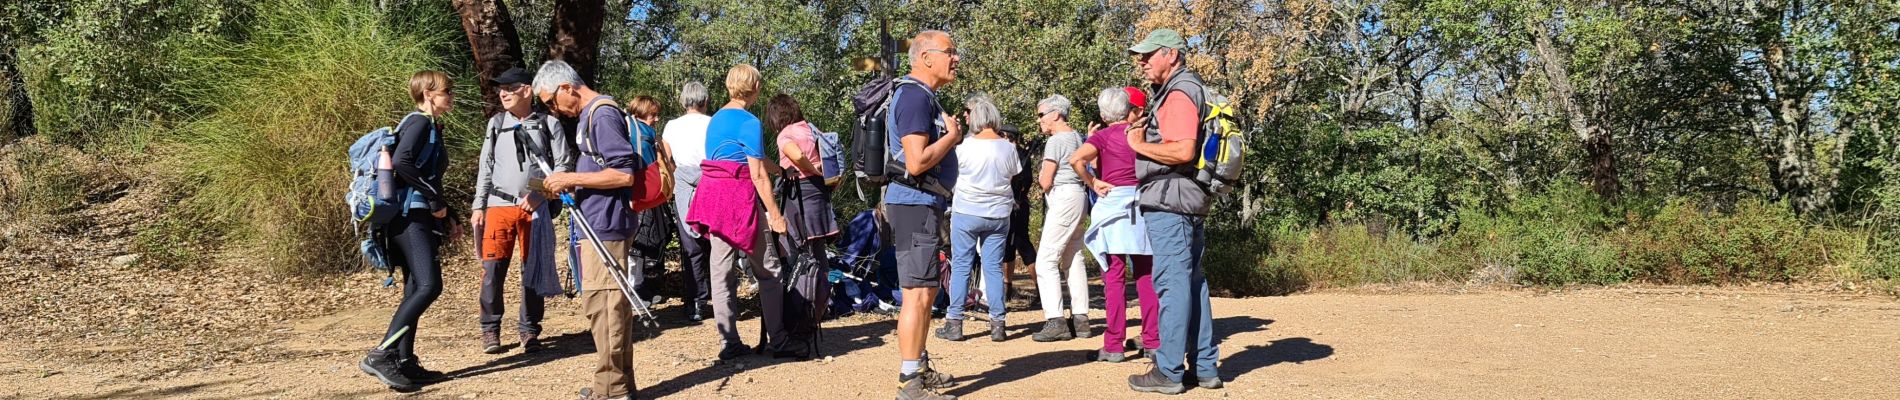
105 64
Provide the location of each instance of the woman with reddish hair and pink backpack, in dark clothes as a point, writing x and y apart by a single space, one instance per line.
810 219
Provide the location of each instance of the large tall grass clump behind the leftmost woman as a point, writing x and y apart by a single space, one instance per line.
286 103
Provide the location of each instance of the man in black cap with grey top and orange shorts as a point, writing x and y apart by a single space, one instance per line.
506 209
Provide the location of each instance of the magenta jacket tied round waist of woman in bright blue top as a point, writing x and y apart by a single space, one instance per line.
727 204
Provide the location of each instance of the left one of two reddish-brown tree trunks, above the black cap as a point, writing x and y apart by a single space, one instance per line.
495 43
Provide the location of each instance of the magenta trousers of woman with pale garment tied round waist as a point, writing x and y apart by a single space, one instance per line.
1116 289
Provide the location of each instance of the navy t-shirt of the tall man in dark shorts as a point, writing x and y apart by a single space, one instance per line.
915 113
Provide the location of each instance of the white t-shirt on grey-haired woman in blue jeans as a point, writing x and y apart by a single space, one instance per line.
983 170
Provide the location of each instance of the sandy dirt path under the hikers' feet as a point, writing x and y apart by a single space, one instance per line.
1589 344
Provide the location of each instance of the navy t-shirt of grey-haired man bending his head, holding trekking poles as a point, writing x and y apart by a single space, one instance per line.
607 147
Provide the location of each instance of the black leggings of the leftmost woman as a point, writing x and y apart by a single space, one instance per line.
413 249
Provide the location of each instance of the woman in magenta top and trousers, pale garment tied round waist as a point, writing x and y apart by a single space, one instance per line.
1116 232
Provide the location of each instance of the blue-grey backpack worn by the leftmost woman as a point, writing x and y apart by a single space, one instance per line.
370 208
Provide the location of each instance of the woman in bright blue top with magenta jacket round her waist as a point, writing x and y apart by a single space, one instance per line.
732 200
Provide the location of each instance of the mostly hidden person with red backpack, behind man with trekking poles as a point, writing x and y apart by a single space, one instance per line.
649 249
